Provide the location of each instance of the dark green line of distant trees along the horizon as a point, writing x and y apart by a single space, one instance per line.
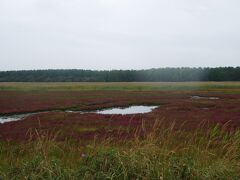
160 74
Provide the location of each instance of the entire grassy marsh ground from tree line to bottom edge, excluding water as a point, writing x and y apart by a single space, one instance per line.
192 134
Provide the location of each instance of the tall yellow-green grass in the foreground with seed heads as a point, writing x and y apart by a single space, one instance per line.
164 153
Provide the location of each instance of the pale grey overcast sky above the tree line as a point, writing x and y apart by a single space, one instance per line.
118 34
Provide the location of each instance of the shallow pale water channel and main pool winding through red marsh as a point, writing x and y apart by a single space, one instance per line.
123 111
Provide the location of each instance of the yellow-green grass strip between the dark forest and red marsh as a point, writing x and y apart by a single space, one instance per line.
223 87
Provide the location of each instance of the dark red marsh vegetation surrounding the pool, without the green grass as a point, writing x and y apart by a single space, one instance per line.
174 106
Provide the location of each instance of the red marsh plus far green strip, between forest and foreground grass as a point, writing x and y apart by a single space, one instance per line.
220 104
